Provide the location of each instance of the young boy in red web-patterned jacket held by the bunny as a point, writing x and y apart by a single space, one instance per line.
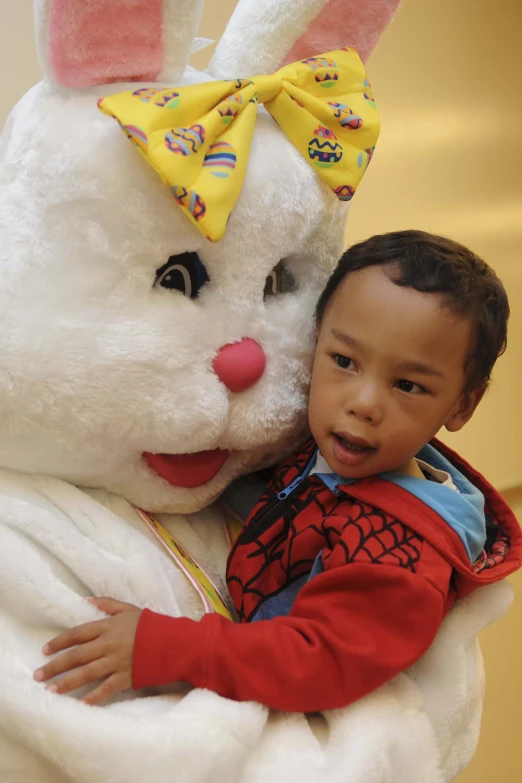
363 540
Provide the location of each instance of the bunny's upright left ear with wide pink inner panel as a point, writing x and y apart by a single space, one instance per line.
82 43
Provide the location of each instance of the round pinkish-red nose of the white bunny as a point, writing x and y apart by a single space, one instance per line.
240 365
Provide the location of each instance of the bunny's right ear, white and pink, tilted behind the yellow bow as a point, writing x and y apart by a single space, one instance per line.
262 35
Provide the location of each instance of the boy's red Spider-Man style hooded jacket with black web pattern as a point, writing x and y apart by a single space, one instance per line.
355 577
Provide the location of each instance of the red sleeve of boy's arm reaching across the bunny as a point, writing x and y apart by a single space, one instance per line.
351 629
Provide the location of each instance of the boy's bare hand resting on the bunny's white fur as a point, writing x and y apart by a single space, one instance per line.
102 651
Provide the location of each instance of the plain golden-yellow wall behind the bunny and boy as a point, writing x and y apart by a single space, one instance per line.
447 77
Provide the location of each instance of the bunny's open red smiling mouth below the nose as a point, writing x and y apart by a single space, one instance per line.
187 470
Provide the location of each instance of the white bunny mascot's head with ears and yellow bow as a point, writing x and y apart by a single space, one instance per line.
138 354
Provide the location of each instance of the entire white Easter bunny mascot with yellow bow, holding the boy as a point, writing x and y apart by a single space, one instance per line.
156 303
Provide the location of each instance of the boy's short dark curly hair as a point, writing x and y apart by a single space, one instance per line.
437 265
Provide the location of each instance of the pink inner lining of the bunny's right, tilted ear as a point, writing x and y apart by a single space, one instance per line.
359 23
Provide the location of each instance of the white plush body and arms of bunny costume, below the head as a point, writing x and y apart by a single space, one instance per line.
60 543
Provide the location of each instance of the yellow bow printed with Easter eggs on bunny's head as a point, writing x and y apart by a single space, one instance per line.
198 137
